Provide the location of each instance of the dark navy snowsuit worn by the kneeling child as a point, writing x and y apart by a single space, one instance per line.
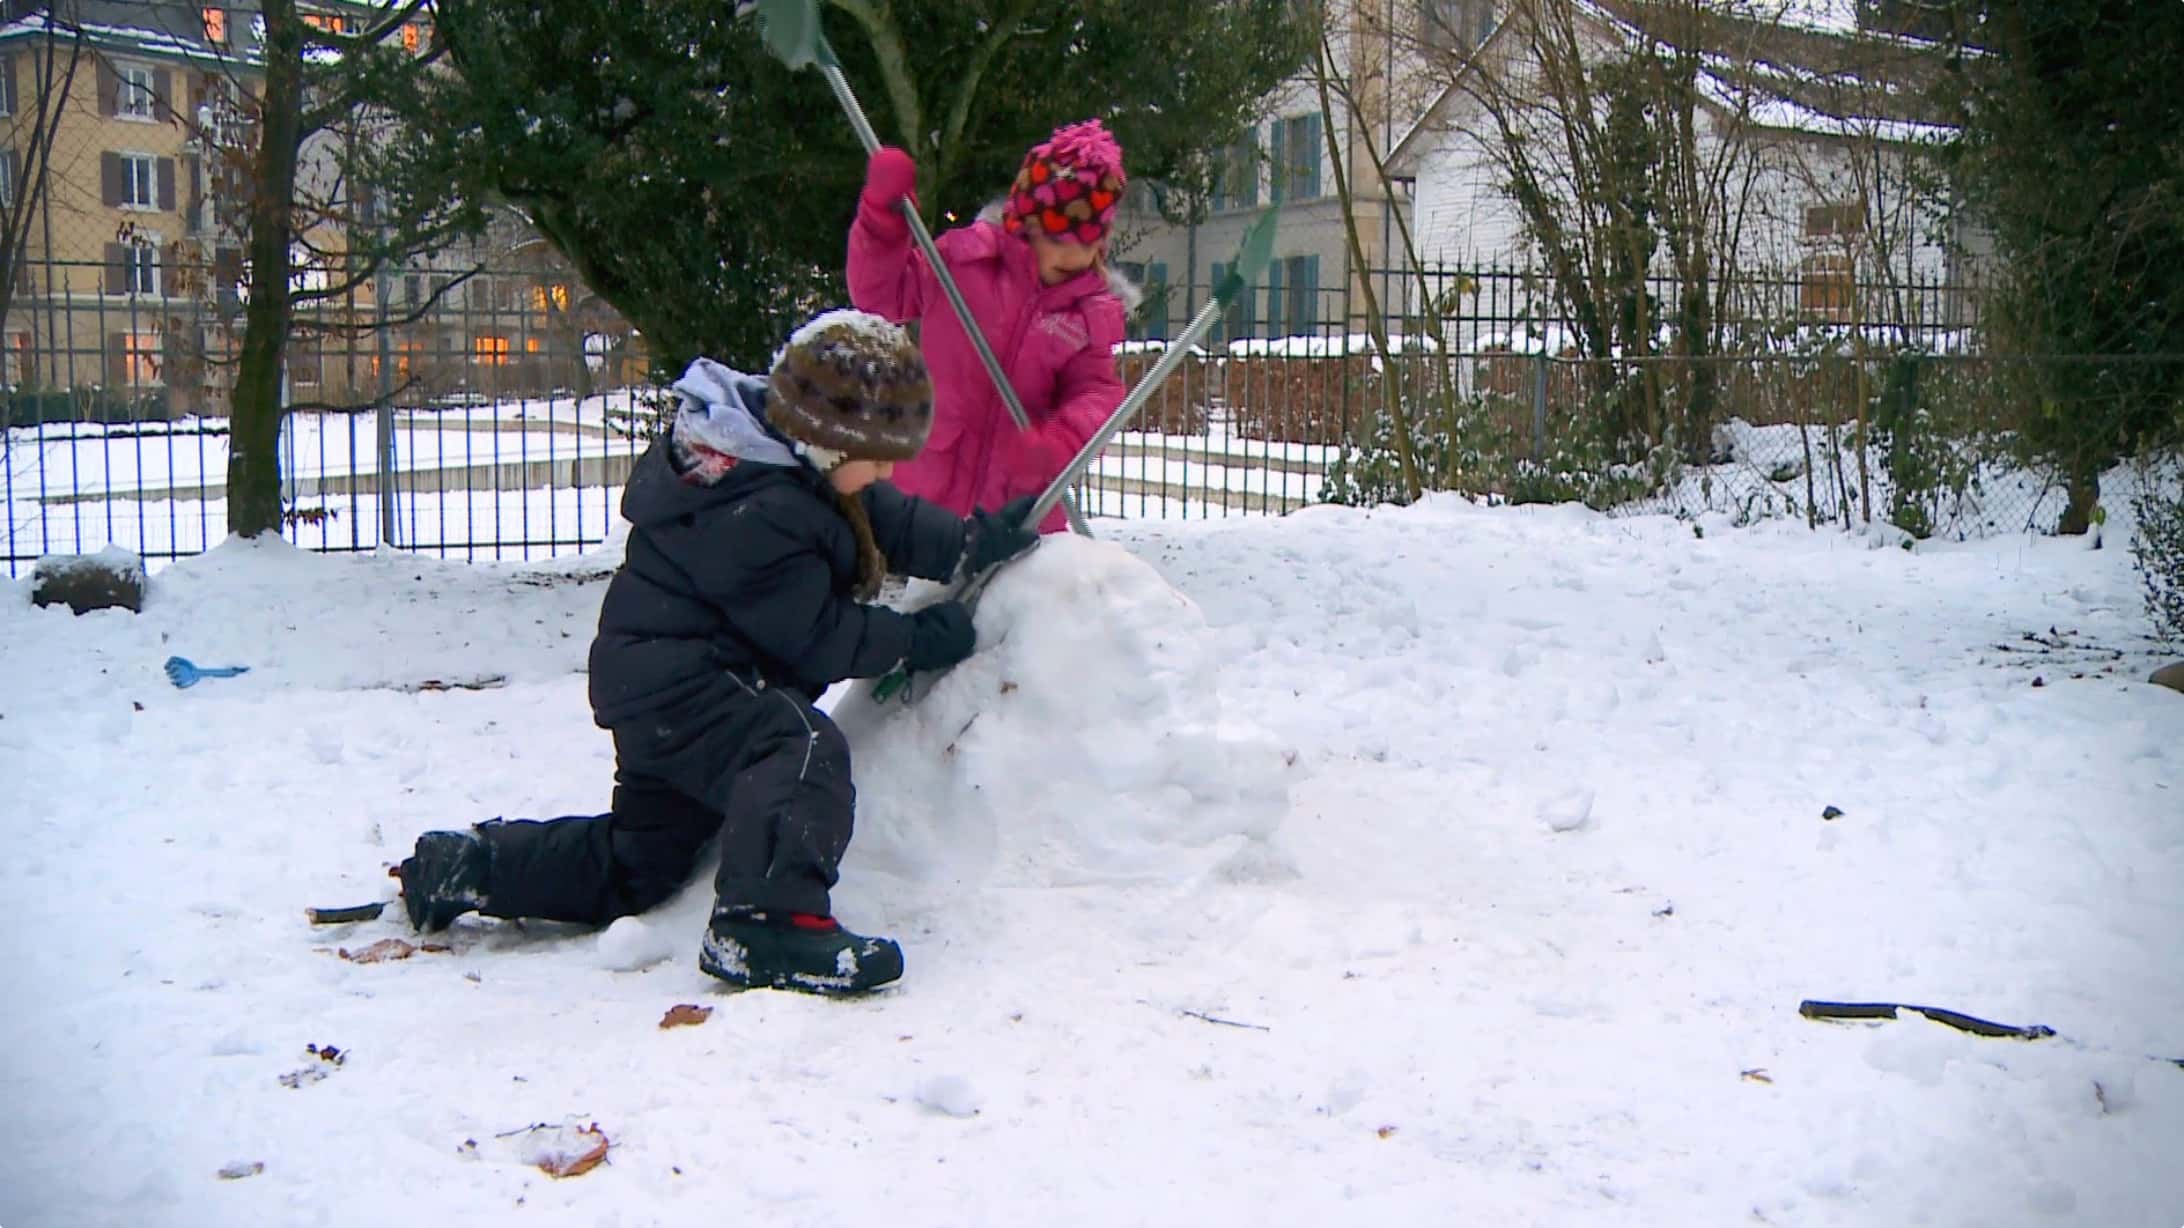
733 613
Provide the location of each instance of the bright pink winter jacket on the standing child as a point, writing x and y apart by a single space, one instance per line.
1054 342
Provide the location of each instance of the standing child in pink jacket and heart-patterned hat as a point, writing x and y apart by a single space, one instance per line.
1038 287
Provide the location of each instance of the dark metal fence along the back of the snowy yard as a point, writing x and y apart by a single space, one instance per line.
503 421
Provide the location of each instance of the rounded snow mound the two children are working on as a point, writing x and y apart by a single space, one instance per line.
1080 744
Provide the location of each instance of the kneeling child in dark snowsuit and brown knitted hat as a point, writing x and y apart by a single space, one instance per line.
761 528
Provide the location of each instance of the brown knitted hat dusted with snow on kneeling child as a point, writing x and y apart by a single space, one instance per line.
853 383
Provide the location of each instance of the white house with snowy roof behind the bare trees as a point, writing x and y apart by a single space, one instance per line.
1814 128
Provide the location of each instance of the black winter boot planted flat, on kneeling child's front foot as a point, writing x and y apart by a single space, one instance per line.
796 952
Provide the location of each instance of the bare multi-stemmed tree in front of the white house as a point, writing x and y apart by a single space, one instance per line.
1622 132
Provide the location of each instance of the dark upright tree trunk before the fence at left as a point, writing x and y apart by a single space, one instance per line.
254 504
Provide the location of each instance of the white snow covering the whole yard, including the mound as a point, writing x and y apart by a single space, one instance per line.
1336 869
